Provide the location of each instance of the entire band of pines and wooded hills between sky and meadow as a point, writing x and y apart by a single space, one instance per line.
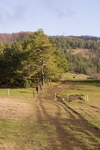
29 57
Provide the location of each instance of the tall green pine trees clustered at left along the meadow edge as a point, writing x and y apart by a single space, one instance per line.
32 59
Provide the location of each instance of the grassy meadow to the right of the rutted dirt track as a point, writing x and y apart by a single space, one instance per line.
80 85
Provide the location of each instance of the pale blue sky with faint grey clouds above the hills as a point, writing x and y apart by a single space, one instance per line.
55 17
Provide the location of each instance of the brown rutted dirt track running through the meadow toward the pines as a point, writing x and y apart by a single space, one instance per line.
72 130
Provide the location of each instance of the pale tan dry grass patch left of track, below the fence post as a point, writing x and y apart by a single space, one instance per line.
13 109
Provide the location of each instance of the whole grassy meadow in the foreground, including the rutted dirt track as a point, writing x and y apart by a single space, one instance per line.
42 123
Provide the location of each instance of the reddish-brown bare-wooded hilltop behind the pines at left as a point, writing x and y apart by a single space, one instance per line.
4 37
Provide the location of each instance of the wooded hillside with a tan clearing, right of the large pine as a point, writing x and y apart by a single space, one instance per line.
83 56
